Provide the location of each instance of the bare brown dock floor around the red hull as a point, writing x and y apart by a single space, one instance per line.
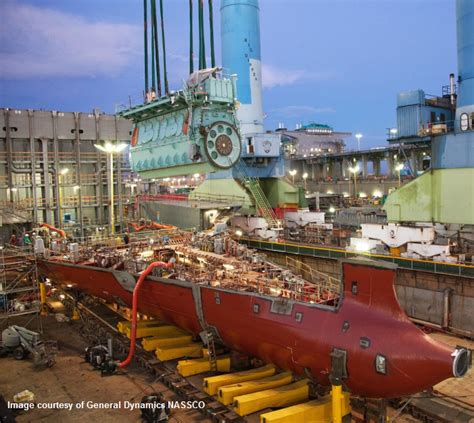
72 380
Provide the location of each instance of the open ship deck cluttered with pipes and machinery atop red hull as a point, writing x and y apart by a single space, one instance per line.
235 267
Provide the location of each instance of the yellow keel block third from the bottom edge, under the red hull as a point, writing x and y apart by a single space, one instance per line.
227 393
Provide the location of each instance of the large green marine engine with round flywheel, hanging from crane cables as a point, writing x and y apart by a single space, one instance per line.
194 130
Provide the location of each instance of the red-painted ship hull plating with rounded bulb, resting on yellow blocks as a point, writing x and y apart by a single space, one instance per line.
368 322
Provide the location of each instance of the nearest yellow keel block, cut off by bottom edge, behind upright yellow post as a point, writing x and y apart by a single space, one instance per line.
319 410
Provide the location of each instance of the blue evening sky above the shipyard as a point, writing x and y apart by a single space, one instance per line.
339 62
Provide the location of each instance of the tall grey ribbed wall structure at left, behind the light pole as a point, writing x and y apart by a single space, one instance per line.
53 174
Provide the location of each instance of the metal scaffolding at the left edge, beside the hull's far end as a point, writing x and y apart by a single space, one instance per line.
19 287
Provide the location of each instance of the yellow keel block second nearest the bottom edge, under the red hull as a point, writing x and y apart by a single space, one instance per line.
277 397
